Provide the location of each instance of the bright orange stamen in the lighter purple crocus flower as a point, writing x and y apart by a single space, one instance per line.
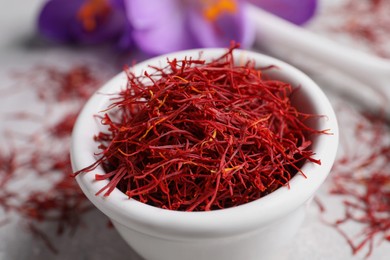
214 8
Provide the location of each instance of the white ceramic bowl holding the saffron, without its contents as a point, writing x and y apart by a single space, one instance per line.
256 230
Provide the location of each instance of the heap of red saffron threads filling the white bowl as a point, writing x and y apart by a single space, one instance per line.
202 136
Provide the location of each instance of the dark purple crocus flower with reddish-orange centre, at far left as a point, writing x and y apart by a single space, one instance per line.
86 22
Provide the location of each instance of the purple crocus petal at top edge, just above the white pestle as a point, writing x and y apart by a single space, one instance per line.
297 12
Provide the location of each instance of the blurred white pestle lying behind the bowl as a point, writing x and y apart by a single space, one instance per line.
289 41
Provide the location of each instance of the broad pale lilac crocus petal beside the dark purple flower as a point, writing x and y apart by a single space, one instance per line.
157 30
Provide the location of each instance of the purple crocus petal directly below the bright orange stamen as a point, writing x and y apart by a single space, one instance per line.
219 33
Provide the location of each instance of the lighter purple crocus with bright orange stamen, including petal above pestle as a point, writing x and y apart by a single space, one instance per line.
169 25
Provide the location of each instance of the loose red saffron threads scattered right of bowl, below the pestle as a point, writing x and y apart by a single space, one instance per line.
362 177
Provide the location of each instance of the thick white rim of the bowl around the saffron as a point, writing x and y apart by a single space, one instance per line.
225 222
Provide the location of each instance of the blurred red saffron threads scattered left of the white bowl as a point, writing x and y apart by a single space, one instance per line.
43 154
